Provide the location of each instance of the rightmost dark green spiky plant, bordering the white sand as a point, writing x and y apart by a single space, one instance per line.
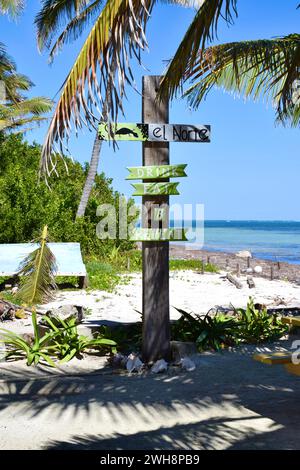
256 325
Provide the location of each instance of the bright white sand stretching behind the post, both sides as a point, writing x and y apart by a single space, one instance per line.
188 290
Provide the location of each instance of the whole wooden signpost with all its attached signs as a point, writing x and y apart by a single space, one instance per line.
155 132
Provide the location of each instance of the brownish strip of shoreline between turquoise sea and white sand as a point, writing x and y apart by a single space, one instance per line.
230 261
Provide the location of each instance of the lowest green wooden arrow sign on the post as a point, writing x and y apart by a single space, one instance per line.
157 234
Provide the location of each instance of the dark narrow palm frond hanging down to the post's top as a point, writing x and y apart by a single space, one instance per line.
202 29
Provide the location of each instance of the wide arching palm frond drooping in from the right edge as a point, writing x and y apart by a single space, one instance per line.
262 68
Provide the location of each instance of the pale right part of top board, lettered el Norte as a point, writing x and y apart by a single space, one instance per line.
178 133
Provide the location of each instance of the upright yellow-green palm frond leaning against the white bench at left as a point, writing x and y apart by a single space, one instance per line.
38 269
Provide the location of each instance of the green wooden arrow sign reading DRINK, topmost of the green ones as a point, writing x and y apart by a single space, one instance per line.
156 172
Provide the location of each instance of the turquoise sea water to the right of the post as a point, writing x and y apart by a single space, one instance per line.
271 240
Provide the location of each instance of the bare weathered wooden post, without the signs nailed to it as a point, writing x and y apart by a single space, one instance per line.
156 304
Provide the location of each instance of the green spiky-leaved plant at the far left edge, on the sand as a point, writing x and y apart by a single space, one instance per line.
34 350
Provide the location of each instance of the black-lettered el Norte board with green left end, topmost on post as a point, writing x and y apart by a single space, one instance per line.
155 132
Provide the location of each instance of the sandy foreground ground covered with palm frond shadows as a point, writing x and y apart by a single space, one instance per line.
229 401
